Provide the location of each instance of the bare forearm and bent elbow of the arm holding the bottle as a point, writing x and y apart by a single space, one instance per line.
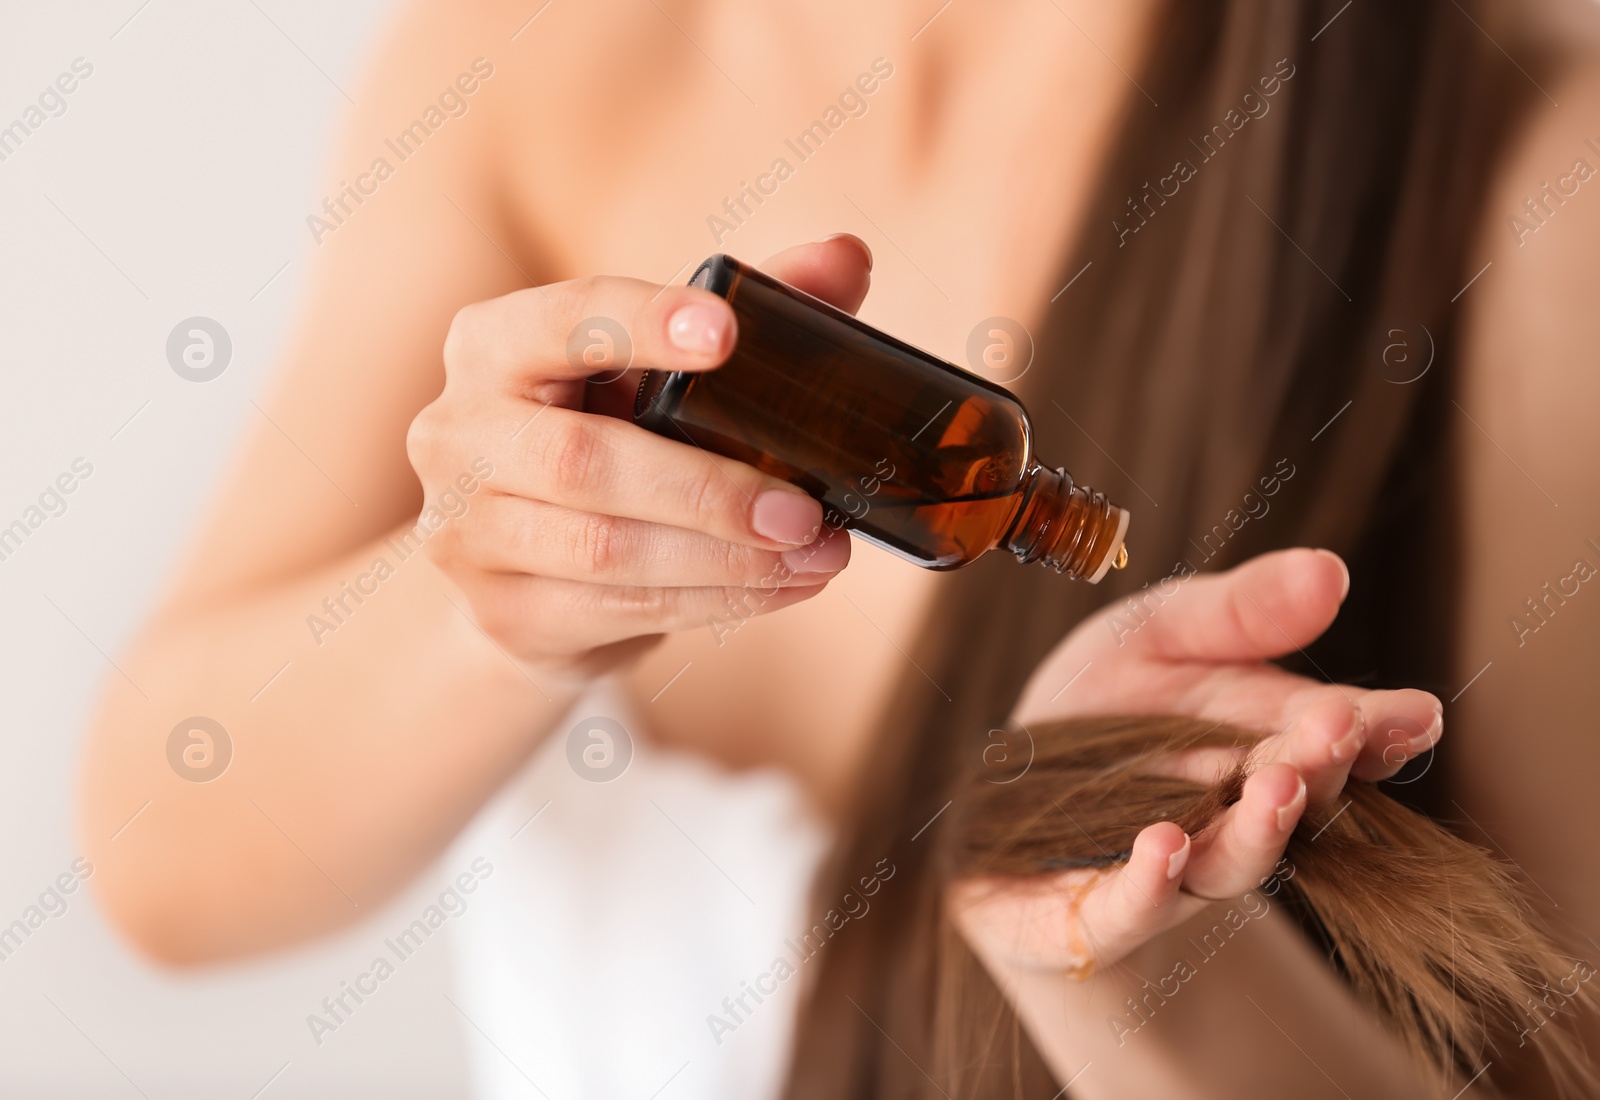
364 735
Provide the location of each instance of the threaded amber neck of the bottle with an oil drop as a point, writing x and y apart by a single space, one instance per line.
1066 527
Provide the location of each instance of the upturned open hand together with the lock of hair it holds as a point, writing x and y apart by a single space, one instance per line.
1126 827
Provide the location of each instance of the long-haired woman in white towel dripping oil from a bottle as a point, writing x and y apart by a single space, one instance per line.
1242 234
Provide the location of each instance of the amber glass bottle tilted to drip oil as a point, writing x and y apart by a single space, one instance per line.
900 447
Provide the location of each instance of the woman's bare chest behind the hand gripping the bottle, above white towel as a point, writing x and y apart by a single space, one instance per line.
964 159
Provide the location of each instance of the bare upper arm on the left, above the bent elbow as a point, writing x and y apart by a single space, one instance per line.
322 466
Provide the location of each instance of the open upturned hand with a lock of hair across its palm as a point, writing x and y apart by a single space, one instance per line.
1201 653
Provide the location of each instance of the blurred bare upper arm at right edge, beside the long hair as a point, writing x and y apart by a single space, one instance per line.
1522 749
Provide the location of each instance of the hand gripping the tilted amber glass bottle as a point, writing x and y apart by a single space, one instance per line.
596 536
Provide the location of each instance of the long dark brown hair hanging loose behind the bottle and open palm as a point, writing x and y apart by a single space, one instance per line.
1247 325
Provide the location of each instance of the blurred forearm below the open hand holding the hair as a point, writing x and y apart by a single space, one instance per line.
1215 1011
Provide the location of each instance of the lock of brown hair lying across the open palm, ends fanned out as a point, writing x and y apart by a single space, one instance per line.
1431 933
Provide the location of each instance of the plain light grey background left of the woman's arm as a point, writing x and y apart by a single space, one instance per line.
188 161
